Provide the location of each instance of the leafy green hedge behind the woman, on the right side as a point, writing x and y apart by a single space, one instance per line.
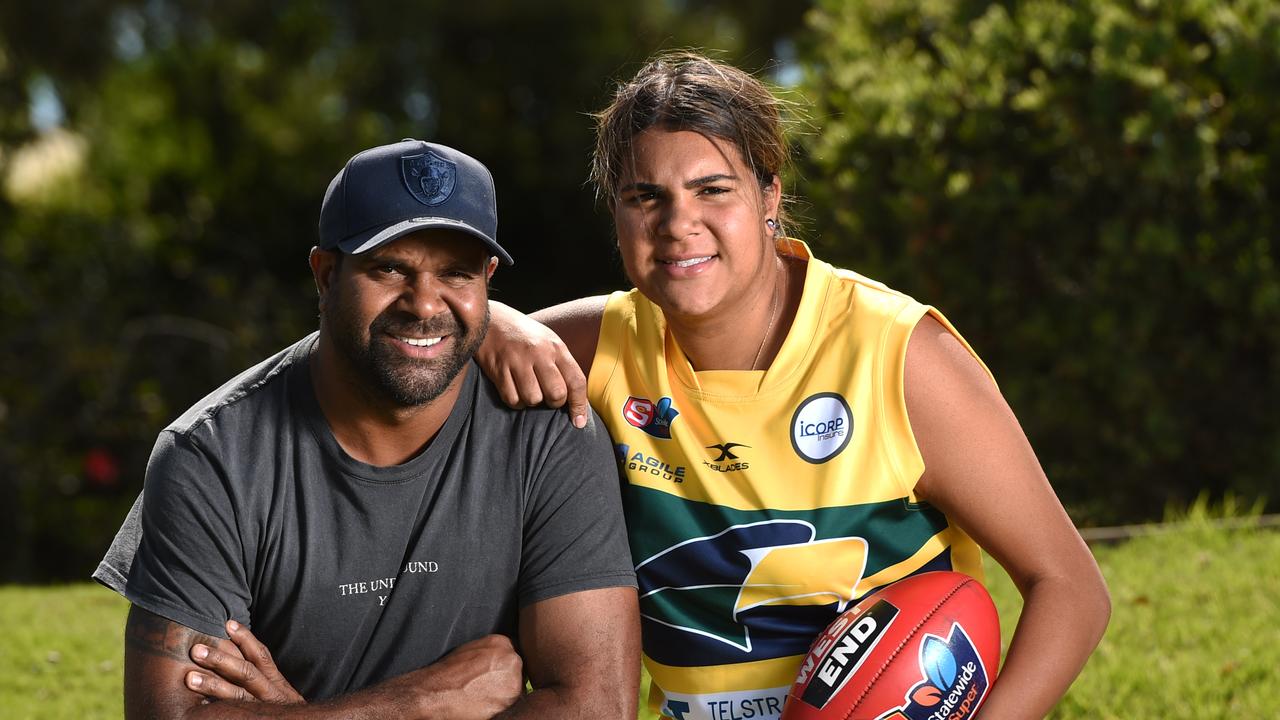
1091 192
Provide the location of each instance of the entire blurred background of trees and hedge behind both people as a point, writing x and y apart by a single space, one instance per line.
1090 190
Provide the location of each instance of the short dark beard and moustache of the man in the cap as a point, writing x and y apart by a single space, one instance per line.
405 381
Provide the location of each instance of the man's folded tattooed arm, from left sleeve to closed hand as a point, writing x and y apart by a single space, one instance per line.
476 681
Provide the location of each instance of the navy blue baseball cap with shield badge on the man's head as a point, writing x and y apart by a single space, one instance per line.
394 190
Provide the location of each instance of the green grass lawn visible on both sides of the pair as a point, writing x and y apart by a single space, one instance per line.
1195 635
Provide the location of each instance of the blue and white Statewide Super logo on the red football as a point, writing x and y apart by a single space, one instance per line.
956 681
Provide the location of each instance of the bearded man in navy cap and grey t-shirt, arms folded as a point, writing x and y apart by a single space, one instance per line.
365 503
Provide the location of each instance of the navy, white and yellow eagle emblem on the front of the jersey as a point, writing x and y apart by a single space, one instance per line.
749 593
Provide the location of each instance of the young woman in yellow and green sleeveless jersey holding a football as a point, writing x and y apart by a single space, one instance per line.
793 435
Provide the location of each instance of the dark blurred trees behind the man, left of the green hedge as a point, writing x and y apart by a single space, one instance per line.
162 167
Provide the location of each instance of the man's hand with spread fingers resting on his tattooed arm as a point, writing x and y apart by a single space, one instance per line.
250 677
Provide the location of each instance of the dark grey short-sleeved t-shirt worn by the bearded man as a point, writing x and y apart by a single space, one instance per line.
353 575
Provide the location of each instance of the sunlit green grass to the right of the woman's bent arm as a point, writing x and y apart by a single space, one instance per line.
1195 628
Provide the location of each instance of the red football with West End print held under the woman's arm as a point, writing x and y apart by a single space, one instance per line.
926 648
